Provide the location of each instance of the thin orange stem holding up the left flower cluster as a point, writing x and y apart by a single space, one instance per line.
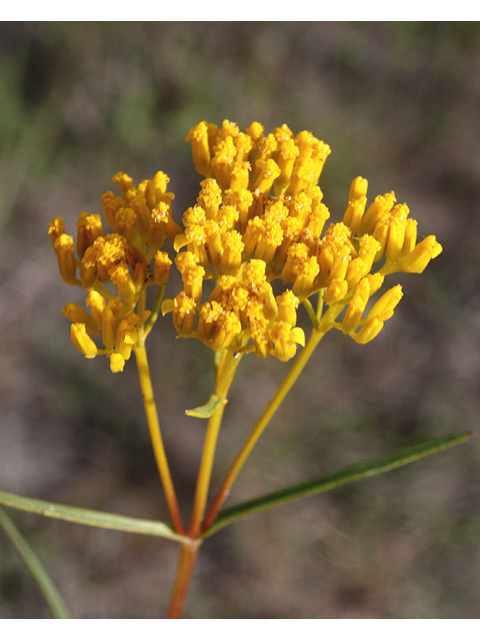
156 437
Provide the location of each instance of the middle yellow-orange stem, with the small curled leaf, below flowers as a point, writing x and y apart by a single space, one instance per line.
226 370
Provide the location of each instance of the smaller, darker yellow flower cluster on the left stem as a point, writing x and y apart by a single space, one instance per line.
130 258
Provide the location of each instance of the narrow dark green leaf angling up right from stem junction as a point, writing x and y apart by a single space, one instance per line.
320 484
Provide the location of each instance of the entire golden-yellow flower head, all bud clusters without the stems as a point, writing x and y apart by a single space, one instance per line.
256 244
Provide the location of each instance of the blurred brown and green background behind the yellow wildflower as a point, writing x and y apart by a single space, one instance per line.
399 104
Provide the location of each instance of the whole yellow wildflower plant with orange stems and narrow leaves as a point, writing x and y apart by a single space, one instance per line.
258 243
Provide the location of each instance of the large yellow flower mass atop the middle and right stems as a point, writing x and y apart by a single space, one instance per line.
259 217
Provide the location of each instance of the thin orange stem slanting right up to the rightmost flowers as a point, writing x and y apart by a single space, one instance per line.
269 412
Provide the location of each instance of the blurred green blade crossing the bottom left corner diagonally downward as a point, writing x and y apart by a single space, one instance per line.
34 567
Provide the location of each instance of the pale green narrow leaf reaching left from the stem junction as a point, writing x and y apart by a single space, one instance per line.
90 517
